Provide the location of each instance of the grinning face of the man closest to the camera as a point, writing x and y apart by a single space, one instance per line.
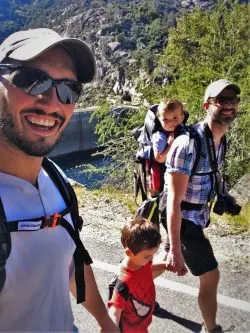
34 124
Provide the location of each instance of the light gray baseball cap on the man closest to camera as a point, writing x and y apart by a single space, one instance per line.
29 44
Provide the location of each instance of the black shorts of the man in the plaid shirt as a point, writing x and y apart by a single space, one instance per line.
196 249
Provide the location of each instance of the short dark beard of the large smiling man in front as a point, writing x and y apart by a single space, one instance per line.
16 137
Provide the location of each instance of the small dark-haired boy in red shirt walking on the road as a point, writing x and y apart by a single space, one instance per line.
133 299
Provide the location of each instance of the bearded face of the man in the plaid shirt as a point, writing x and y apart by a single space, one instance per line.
223 108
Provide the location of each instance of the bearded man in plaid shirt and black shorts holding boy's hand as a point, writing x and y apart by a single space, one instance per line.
189 195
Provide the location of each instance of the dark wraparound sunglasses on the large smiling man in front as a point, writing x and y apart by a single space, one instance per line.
35 82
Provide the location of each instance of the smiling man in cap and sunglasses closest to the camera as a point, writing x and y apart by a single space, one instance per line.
41 76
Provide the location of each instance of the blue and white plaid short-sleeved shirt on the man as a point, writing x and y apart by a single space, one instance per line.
200 189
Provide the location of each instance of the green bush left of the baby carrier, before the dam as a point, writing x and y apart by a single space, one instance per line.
114 129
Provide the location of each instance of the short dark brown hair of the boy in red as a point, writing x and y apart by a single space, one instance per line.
140 234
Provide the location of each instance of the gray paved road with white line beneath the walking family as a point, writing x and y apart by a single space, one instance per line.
176 295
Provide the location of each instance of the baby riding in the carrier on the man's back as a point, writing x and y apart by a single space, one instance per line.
170 116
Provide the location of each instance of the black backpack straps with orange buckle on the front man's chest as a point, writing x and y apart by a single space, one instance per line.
81 255
